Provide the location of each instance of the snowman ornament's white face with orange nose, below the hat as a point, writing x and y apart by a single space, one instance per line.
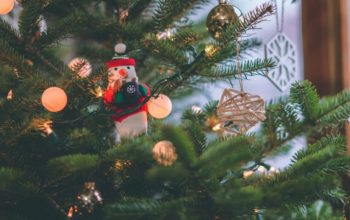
123 73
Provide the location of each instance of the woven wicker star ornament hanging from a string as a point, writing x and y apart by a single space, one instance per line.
239 111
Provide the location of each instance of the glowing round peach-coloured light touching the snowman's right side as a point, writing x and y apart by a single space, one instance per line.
160 107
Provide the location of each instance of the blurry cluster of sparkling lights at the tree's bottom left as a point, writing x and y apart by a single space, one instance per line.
87 201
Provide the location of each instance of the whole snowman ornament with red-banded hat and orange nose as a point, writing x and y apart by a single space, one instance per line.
124 92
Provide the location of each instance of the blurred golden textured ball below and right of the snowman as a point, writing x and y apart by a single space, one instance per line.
164 153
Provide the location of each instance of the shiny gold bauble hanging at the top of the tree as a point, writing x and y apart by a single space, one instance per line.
220 17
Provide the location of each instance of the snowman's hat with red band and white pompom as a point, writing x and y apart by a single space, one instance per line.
120 58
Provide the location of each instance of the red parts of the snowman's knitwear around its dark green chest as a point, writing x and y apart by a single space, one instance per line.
108 99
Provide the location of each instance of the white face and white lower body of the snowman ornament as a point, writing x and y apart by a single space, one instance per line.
135 124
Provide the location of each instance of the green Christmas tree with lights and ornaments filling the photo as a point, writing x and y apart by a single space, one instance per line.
76 140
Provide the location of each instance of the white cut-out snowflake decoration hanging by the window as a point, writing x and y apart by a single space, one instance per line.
282 51
